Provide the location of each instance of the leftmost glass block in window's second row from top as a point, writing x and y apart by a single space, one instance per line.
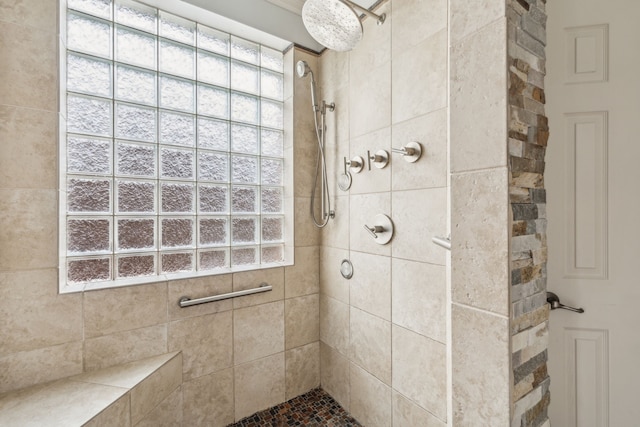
88 34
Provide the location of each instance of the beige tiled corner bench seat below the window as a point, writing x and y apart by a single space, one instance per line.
134 394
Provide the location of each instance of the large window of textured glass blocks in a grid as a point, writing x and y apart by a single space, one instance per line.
173 159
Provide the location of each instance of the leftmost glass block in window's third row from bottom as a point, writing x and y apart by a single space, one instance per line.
88 195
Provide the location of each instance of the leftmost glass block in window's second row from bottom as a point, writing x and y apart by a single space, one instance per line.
88 235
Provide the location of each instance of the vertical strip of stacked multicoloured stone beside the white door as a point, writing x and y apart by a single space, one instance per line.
528 135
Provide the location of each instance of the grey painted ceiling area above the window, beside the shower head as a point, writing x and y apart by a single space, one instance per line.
280 18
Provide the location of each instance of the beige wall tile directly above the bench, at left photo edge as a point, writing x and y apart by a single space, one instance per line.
24 369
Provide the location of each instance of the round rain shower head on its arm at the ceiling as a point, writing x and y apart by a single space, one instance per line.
335 23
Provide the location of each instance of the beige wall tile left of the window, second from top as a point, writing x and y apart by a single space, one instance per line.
29 60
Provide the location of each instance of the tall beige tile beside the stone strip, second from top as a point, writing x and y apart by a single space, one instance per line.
479 100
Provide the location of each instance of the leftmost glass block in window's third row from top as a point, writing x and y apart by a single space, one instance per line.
88 75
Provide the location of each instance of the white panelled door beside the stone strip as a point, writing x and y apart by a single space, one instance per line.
593 210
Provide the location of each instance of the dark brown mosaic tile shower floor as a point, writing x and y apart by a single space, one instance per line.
315 409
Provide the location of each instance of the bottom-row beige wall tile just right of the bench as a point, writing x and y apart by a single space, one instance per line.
208 400
